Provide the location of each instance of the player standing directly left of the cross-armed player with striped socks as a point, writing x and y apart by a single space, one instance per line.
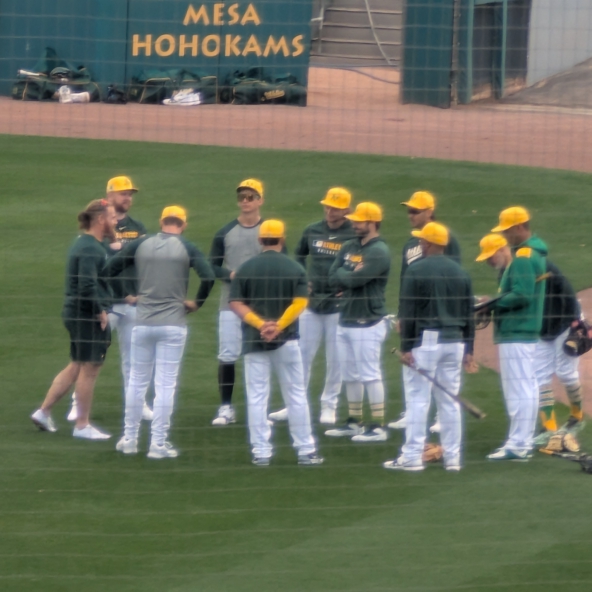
320 243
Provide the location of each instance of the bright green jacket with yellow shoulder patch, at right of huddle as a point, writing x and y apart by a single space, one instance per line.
518 314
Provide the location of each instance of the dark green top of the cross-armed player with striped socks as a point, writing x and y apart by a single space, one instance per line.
362 302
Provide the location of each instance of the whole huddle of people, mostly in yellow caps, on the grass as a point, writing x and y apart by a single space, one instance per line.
275 311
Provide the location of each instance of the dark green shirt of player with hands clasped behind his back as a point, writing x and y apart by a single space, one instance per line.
268 283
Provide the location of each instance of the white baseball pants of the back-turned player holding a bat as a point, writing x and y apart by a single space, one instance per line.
443 361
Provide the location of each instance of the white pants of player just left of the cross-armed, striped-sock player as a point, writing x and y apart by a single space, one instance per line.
313 327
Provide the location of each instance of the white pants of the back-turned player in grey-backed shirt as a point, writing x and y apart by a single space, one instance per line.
158 350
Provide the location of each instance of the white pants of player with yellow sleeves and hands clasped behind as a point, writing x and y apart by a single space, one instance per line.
286 362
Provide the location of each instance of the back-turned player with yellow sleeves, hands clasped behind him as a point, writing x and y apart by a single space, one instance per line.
268 293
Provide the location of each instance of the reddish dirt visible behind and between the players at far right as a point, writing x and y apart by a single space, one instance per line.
486 355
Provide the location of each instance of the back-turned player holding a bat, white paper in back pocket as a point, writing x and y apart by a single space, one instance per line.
437 335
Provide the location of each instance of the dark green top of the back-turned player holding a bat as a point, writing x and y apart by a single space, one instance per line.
437 296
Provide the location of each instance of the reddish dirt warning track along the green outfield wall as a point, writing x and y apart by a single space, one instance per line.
348 112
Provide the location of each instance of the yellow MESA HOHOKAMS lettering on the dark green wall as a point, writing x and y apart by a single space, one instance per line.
228 30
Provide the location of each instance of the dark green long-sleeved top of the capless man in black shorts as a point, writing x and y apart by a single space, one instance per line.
87 294
